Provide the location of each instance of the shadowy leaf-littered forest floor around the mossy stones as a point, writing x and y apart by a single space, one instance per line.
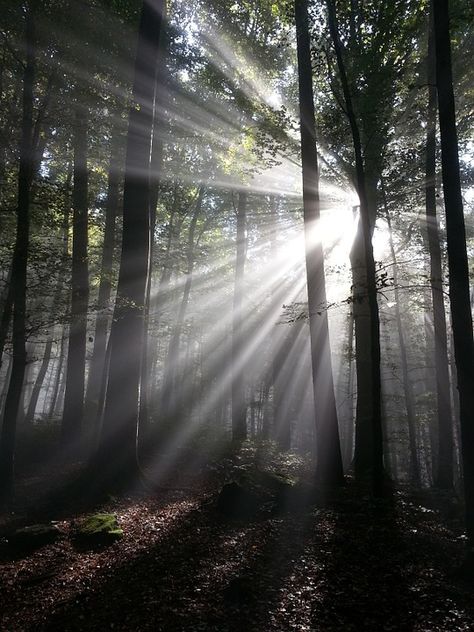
348 563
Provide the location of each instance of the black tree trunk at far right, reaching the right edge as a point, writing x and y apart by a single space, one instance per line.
457 254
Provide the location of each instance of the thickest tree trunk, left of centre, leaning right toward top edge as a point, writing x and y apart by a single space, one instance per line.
120 424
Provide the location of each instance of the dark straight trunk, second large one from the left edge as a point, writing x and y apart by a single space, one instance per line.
71 428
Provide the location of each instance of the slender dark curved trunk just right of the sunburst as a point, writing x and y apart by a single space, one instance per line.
368 459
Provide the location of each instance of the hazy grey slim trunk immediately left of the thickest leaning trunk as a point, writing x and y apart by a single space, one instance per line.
105 287
